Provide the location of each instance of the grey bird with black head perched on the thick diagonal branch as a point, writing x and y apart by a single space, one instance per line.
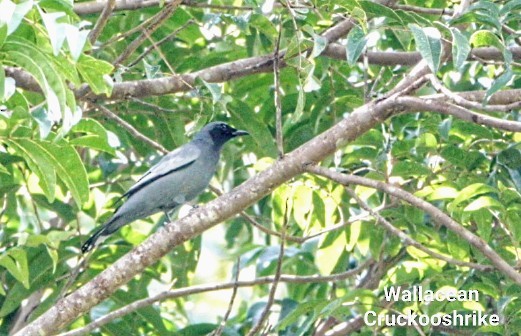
177 178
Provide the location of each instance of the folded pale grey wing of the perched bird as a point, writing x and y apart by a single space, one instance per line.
178 159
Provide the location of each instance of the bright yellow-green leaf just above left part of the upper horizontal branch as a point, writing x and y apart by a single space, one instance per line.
96 72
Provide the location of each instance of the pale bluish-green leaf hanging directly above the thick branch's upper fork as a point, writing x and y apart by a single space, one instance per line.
428 43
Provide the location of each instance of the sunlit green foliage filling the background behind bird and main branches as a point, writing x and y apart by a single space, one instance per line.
87 108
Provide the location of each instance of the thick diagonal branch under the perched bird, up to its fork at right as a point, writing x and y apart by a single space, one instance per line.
208 215
